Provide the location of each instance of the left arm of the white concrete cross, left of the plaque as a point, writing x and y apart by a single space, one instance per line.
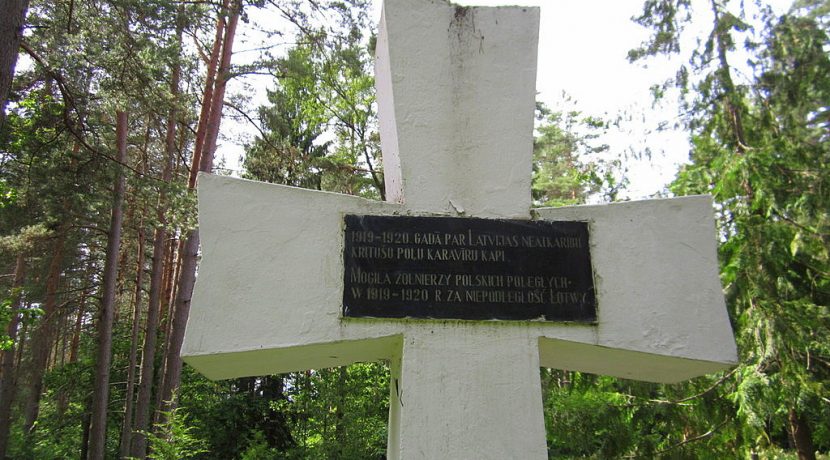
269 287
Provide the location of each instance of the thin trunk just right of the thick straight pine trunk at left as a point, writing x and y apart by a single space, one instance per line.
127 426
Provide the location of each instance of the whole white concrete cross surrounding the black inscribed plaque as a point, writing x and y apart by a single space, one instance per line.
456 99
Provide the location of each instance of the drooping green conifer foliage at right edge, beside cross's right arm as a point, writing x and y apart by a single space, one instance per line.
773 193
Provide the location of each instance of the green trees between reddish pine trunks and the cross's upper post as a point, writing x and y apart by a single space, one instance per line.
319 129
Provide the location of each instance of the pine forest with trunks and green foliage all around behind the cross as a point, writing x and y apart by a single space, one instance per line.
110 108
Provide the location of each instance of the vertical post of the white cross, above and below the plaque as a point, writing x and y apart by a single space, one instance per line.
457 137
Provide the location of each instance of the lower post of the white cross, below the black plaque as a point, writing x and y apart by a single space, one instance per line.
464 394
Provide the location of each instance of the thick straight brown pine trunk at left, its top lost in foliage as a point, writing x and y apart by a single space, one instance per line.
100 398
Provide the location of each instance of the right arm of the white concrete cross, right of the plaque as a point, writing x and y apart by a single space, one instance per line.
661 309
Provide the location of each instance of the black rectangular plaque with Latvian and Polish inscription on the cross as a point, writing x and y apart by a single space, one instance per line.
465 268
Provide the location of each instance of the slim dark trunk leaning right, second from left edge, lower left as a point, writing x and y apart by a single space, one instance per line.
42 336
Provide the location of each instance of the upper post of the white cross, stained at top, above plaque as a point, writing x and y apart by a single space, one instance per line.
456 96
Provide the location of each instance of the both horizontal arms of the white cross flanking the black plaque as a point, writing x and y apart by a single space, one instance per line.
271 280
